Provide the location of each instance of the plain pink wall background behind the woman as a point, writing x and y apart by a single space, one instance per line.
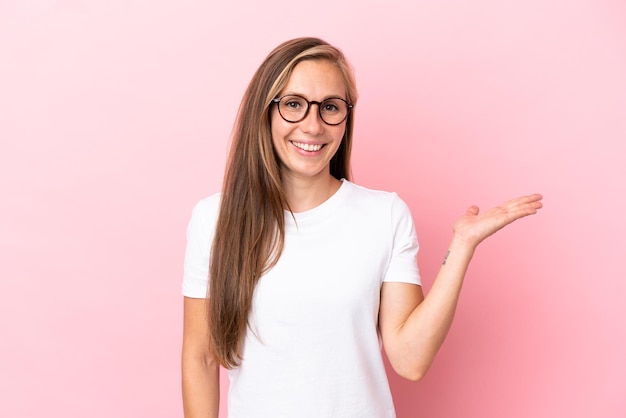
114 120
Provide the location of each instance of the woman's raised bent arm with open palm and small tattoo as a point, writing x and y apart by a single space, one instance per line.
413 327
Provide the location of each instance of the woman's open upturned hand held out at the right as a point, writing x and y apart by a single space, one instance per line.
474 227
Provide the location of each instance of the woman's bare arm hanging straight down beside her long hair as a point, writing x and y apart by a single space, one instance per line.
200 371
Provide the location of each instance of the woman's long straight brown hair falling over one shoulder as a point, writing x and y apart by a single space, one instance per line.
250 228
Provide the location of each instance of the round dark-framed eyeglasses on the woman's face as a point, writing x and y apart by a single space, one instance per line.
294 108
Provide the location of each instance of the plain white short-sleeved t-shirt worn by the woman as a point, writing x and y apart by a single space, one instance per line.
313 348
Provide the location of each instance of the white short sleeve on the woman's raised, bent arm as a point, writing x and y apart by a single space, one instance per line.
403 265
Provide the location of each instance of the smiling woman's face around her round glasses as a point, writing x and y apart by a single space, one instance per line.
305 148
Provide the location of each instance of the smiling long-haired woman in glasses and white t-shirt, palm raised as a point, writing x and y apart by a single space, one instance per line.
293 273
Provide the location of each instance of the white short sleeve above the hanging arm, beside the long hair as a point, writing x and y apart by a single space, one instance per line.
200 233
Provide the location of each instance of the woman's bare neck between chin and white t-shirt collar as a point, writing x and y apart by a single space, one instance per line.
306 194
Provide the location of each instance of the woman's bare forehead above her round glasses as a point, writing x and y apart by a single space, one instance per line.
316 79
